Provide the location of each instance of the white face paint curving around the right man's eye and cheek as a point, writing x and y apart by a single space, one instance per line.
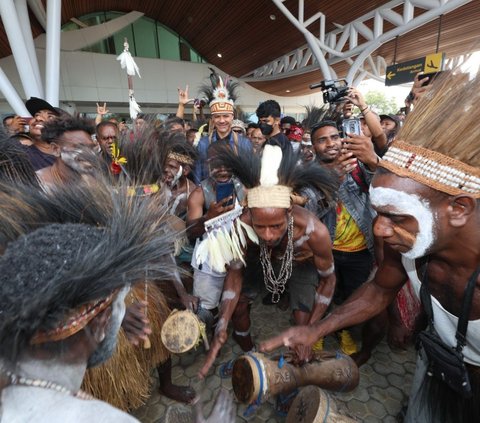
411 205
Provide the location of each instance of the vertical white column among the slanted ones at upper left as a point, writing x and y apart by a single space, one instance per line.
52 67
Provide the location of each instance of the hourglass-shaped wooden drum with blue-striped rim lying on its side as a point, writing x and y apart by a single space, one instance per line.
255 378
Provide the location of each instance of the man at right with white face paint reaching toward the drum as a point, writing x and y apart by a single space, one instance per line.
426 193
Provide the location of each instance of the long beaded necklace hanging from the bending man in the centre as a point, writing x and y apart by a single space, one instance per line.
274 284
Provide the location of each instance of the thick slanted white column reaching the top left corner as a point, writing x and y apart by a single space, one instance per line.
19 50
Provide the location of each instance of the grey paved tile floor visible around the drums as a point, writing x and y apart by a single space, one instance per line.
384 382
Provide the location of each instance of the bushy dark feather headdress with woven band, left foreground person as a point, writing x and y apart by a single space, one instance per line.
68 254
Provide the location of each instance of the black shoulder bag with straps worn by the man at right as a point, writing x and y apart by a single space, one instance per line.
445 362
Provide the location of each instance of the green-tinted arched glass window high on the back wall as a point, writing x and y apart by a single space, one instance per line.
146 38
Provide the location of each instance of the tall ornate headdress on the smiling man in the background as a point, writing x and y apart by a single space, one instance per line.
220 93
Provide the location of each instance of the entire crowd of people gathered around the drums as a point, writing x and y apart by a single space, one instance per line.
345 218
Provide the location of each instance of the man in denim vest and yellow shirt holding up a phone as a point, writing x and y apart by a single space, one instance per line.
350 221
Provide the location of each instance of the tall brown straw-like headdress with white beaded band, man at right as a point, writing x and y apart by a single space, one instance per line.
438 146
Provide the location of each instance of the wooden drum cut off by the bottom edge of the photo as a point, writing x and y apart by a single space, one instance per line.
314 405
